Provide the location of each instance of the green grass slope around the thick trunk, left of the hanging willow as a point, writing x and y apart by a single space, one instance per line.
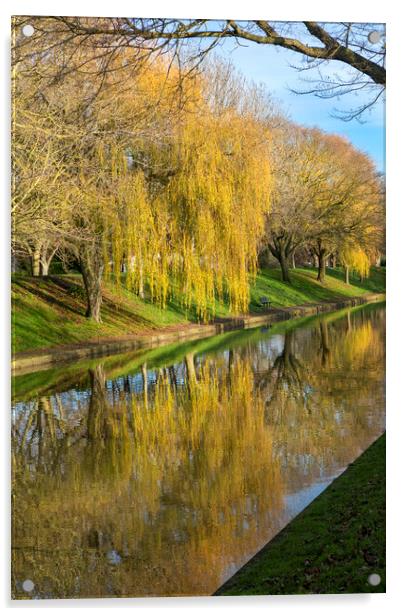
50 311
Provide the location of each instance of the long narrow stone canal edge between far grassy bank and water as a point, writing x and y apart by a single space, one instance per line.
29 361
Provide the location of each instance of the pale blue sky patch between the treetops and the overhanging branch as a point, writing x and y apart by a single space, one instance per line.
271 66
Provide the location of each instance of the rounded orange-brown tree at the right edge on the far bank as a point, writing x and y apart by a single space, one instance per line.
349 207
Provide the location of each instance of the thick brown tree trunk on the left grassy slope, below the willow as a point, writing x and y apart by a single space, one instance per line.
91 264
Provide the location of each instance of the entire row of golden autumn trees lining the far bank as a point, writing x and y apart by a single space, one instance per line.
174 181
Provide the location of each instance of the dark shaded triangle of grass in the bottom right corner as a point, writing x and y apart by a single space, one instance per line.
333 546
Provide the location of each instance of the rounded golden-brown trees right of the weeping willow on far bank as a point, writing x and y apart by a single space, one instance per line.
328 198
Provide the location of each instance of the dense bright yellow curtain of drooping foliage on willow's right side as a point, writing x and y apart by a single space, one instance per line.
218 198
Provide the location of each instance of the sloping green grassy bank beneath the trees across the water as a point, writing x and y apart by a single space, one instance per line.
50 311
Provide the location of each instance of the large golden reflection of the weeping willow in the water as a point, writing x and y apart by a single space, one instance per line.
189 498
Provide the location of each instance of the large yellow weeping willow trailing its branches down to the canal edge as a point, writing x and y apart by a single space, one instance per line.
189 220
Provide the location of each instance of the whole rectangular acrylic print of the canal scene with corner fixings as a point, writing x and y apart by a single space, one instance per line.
198 307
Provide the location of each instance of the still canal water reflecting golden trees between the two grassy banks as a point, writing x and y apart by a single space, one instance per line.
162 473
